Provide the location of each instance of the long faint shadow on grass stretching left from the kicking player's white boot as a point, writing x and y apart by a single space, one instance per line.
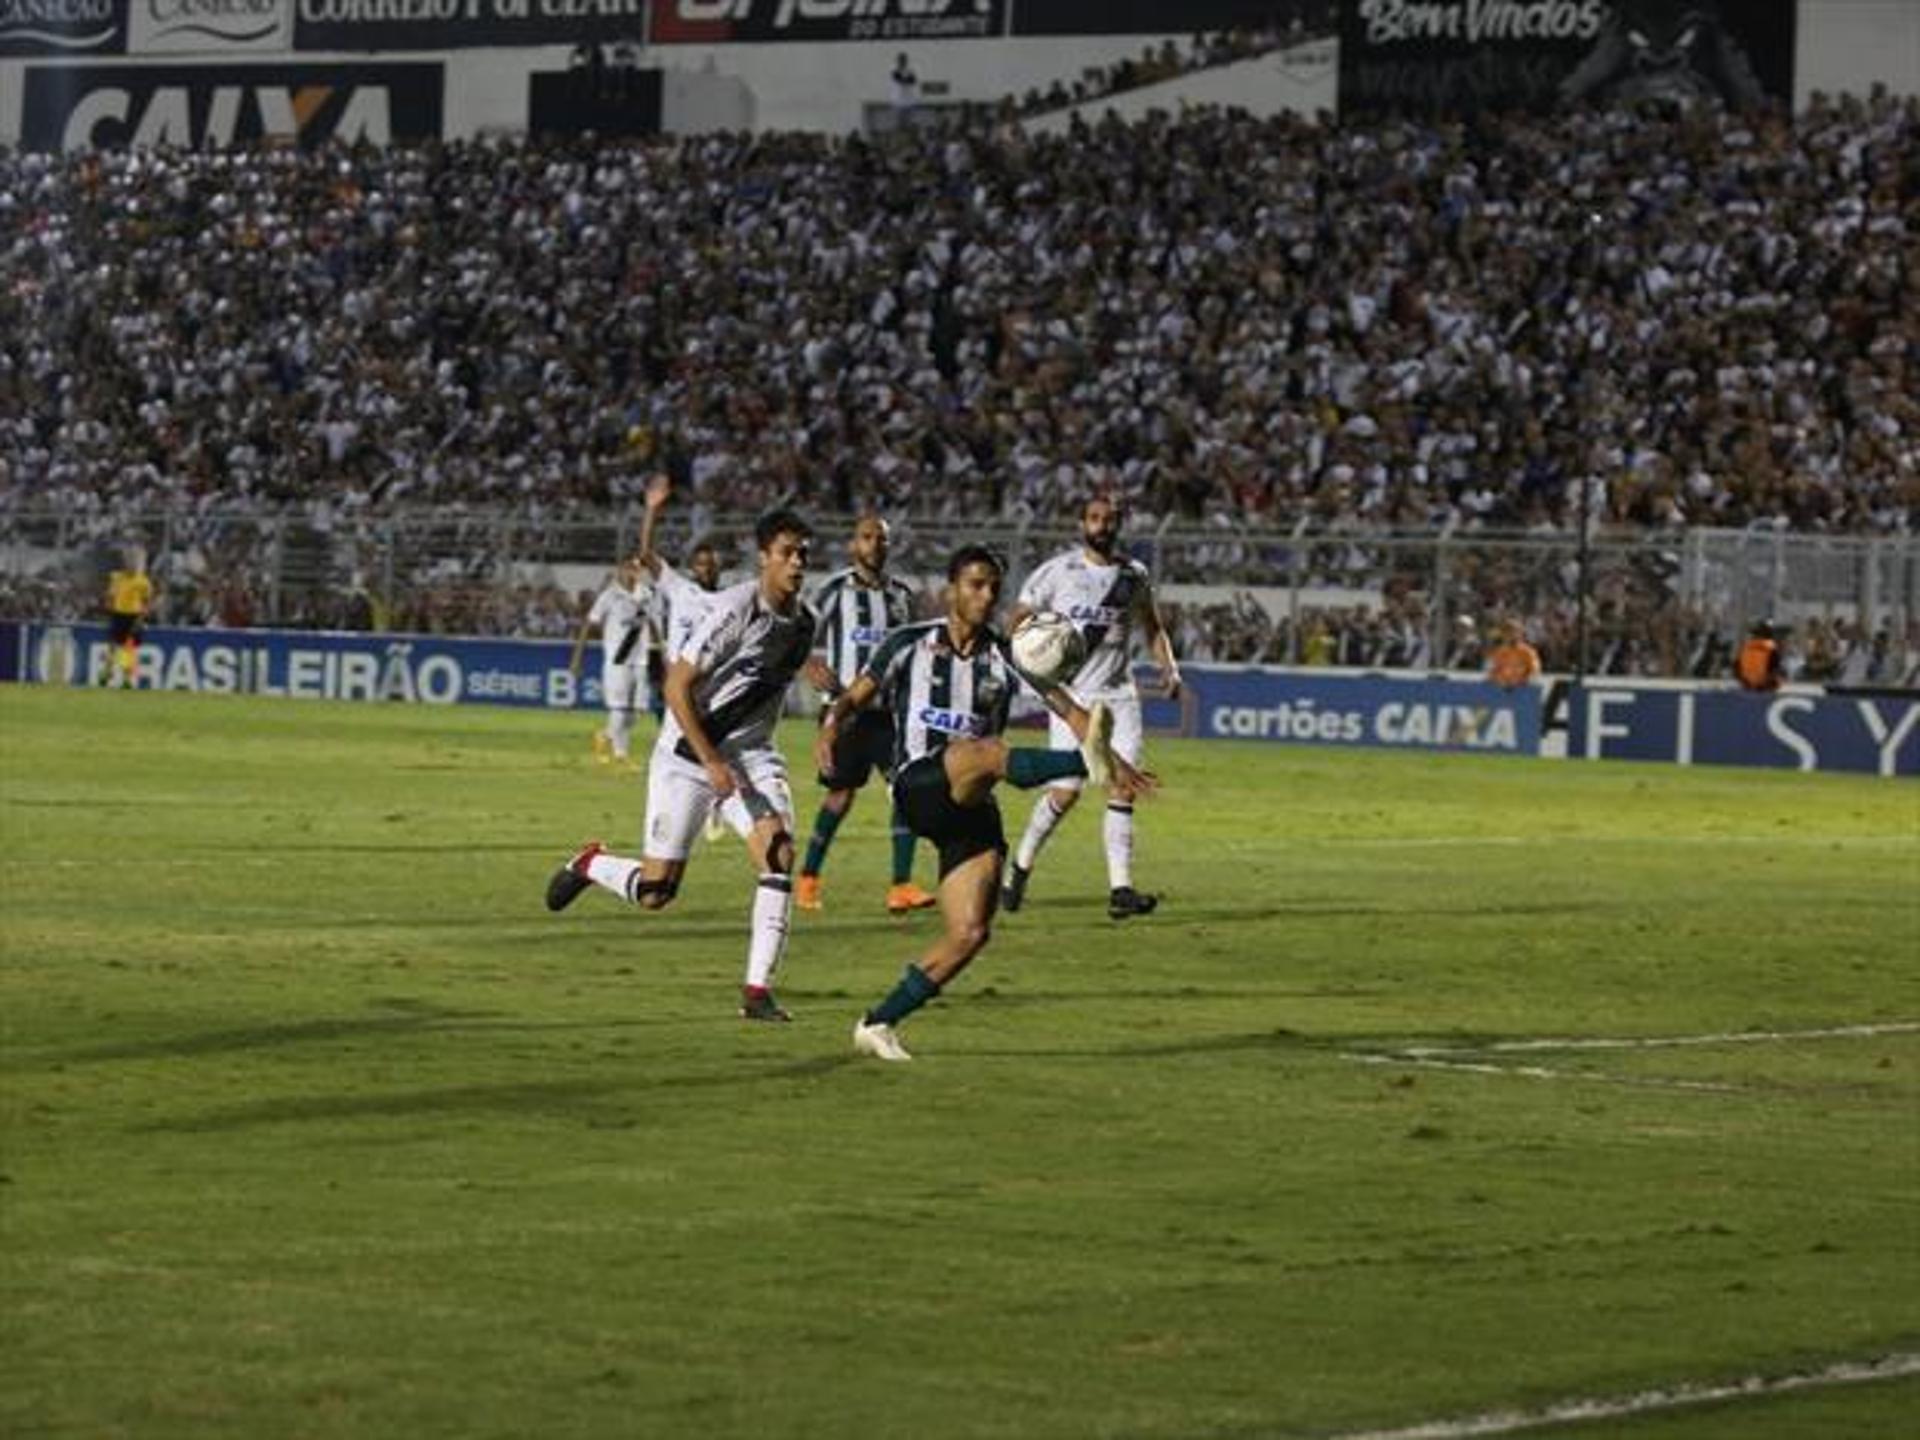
594 1103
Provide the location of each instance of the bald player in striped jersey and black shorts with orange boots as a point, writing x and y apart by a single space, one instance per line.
857 608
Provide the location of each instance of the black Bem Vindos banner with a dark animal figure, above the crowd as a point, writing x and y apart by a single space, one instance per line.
1452 57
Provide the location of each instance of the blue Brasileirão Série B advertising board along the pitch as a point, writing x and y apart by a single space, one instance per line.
320 665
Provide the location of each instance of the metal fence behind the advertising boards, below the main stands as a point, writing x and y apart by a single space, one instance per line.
1656 604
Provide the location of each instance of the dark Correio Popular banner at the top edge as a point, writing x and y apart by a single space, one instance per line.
462 24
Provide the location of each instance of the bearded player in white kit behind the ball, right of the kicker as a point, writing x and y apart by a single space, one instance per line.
1107 596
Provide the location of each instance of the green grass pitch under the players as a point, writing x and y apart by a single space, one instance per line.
316 1124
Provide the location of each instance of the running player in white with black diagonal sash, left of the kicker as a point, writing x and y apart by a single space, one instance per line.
717 752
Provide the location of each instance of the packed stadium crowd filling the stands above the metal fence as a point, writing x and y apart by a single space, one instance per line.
1685 320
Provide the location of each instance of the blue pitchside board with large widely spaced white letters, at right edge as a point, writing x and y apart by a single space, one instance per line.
1783 732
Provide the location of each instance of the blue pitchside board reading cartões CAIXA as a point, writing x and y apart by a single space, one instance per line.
1378 711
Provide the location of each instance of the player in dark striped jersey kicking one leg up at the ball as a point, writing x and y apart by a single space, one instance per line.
951 686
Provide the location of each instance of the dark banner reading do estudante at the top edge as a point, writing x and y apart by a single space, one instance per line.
721 22
